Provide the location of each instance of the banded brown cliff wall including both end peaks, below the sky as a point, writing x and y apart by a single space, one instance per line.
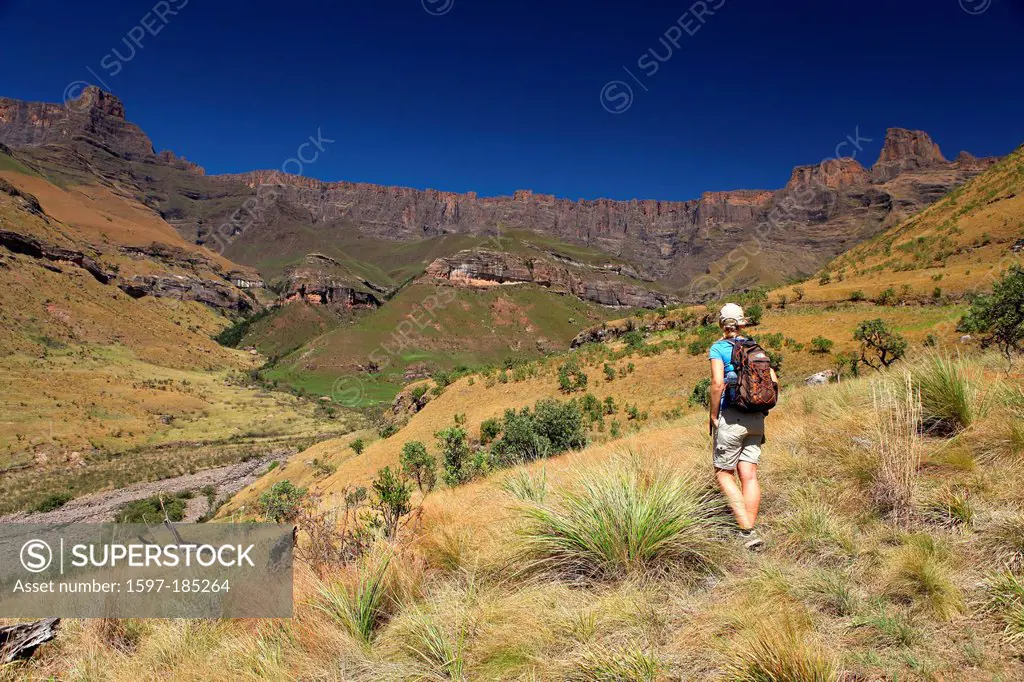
824 210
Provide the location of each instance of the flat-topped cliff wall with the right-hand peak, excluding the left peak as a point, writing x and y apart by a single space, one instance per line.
824 209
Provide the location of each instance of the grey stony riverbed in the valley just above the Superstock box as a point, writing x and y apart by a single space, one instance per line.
103 506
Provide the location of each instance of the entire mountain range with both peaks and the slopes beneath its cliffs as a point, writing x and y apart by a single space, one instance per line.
273 222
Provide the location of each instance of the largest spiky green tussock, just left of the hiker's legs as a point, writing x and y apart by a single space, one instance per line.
624 519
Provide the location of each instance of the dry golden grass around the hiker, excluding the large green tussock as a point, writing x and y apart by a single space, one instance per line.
842 589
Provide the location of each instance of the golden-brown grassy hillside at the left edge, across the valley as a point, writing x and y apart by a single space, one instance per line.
102 390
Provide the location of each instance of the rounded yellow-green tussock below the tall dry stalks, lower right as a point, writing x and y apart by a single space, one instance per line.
921 575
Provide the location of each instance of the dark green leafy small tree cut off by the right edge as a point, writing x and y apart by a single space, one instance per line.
1000 316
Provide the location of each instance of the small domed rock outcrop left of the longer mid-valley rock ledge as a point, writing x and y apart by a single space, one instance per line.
323 280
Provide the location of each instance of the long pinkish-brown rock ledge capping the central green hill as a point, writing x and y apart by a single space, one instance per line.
485 269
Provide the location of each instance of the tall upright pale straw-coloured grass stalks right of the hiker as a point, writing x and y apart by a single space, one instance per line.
898 445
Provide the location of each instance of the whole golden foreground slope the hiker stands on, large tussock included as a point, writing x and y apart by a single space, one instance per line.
844 589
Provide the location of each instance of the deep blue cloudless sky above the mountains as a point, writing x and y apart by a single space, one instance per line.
499 95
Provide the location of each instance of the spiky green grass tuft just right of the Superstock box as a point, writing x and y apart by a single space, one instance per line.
362 609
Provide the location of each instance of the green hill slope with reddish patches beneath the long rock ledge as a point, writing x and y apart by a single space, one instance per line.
440 328
